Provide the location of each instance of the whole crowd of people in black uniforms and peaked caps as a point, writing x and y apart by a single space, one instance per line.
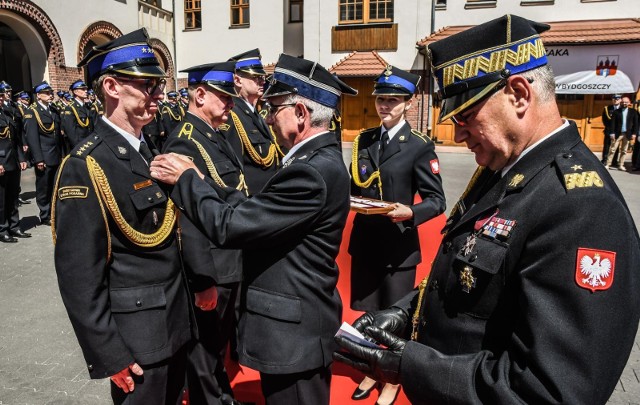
211 217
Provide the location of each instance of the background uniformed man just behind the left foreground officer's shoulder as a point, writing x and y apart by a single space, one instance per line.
77 120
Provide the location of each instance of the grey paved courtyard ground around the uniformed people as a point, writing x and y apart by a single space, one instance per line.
41 362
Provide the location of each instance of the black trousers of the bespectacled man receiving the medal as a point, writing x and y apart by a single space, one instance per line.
160 383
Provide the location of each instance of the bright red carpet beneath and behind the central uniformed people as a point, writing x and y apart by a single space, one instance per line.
246 384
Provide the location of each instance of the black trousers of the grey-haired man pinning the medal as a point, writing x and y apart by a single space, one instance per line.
308 387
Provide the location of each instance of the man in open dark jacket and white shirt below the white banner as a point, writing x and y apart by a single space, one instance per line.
622 132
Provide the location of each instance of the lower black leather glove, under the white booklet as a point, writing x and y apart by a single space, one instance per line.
380 364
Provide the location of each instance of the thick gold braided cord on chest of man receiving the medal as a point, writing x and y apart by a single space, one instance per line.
143 240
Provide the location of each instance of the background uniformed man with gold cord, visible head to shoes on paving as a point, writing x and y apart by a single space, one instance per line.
42 127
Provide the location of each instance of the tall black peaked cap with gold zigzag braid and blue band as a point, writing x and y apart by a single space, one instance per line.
470 64
